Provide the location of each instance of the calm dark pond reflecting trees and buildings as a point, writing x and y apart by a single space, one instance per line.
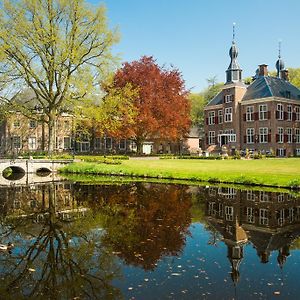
148 241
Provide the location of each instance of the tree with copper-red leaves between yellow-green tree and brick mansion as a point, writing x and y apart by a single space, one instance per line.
162 105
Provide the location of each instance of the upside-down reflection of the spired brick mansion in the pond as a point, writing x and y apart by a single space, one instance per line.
269 221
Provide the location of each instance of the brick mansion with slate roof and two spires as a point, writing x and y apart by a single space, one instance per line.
261 117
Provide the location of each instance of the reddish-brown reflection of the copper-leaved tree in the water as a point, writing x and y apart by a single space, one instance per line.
144 222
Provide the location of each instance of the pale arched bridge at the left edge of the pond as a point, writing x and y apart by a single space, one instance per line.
29 166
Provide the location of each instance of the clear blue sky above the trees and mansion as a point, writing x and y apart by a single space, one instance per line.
195 35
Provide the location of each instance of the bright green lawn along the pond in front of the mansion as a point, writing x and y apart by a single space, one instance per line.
266 172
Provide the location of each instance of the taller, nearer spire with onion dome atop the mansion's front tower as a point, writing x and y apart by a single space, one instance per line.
234 72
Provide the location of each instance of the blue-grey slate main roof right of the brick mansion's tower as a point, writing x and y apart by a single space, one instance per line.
267 86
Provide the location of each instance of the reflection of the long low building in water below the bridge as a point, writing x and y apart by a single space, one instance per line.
34 201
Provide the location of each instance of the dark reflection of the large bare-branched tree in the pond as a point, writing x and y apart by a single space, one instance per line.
59 260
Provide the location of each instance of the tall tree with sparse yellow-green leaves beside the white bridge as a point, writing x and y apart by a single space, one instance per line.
59 49
